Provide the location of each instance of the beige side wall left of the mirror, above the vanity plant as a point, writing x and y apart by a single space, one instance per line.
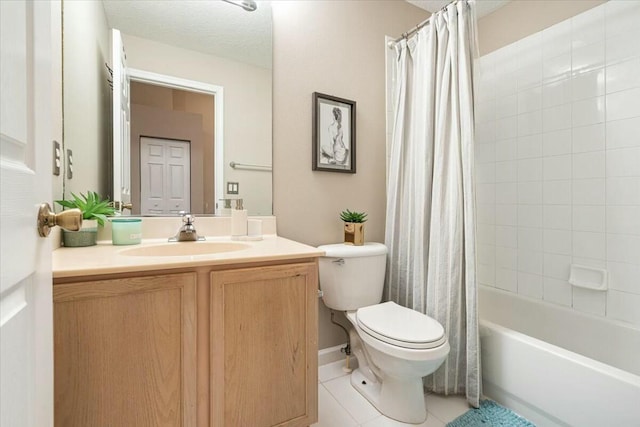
87 96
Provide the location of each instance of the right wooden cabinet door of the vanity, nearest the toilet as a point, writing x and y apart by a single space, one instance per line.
264 351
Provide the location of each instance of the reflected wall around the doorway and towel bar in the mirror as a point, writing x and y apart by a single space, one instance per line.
247 109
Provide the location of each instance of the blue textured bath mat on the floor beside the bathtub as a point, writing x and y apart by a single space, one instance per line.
490 414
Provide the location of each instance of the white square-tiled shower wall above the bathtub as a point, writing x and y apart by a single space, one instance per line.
558 161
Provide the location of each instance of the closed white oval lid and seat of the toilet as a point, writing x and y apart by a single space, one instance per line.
401 326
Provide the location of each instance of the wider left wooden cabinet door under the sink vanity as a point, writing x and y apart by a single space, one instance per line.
125 352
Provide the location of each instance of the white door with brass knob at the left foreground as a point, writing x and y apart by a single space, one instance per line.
26 320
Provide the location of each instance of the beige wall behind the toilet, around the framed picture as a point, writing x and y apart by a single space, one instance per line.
337 48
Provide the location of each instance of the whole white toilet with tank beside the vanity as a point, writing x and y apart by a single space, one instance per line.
395 346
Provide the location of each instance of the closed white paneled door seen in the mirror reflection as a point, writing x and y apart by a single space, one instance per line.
165 176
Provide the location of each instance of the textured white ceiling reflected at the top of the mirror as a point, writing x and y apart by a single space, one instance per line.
208 26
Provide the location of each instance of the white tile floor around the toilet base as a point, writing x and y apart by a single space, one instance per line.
340 405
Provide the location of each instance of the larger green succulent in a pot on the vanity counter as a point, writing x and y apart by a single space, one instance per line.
94 213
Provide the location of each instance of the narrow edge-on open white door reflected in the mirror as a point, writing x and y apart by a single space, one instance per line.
121 122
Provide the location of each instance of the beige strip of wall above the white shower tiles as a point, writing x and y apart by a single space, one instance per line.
521 18
